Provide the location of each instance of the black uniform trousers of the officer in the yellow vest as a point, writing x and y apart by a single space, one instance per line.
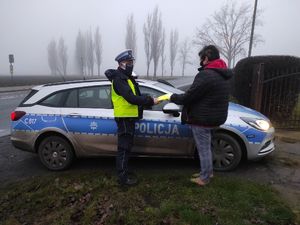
126 127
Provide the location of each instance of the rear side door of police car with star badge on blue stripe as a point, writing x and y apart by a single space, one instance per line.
88 115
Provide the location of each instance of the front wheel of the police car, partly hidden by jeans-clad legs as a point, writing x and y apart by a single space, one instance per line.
227 152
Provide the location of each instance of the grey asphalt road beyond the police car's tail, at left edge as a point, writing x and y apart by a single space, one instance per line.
8 102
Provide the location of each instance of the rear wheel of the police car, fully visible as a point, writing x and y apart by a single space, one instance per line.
55 153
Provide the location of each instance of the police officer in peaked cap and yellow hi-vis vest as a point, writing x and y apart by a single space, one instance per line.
128 108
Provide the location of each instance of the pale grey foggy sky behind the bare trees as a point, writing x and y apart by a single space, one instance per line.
27 27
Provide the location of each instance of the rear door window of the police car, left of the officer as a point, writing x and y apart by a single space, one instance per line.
95 97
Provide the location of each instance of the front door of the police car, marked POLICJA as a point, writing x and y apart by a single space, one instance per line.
159 133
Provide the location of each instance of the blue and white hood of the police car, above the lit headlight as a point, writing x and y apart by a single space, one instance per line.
240 111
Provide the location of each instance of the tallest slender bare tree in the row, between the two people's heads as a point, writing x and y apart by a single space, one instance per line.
156 36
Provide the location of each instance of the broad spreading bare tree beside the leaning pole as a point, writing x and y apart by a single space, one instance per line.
229 29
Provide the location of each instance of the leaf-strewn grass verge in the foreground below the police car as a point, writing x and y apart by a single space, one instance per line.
93 197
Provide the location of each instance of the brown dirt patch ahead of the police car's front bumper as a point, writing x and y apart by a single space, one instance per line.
281 170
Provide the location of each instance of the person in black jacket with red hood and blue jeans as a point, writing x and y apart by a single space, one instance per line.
206 106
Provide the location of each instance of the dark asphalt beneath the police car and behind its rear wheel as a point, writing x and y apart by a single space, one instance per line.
16 165
